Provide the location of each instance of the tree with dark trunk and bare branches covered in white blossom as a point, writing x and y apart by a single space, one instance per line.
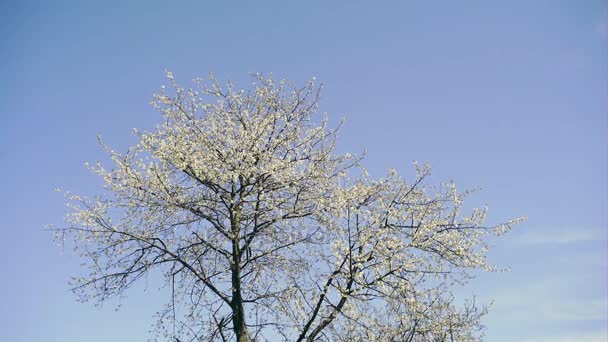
260 230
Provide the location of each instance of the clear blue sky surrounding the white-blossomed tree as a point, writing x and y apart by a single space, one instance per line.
510 96
